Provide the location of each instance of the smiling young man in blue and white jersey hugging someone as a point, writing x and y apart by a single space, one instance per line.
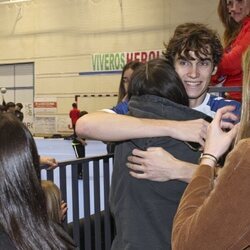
195 51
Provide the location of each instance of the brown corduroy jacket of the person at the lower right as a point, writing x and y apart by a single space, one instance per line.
216 217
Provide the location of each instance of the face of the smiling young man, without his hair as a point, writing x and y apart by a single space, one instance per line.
195 75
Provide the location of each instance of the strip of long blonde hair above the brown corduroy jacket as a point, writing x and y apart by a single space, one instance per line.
244 130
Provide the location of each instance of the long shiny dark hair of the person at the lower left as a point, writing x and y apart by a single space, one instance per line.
23 214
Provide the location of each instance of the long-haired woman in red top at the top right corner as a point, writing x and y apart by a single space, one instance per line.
235 16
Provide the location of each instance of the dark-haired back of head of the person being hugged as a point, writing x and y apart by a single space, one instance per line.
158 77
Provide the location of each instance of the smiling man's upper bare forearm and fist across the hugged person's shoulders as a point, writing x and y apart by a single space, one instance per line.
113 127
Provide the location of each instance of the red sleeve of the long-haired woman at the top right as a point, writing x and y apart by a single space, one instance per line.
231 60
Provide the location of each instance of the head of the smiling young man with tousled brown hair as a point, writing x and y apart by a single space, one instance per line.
195 51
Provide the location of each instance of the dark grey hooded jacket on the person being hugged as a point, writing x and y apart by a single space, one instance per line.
143 209
